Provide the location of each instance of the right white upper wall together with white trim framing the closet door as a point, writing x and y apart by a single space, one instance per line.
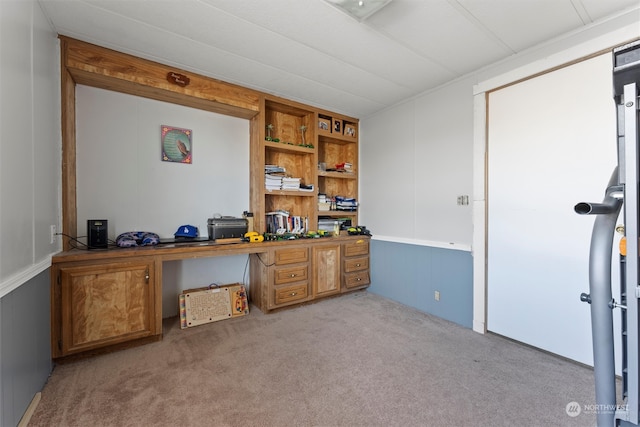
396 142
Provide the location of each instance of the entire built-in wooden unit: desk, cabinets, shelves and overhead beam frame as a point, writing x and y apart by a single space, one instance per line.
113 298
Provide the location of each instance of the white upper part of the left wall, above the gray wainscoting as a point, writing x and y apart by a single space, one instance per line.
30 144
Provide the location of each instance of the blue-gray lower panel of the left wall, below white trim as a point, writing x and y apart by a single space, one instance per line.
25 346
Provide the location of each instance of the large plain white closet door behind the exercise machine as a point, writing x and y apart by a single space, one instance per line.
551 144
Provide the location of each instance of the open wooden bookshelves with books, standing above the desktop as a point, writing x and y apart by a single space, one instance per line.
289 135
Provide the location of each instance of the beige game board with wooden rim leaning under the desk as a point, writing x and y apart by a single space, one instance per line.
211 304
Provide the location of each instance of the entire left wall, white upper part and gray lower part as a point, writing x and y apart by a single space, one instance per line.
30 179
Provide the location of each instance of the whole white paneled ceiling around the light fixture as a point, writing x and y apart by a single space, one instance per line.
311 52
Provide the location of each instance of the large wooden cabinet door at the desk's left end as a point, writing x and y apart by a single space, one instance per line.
106 304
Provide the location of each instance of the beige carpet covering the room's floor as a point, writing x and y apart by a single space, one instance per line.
356 360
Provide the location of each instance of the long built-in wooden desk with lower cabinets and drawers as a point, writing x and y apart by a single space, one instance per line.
112 298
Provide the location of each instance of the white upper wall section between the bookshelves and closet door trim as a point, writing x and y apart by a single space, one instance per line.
415 160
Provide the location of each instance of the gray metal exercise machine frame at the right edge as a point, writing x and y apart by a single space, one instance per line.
622 193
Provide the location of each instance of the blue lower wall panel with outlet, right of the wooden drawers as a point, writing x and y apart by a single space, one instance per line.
411 274
